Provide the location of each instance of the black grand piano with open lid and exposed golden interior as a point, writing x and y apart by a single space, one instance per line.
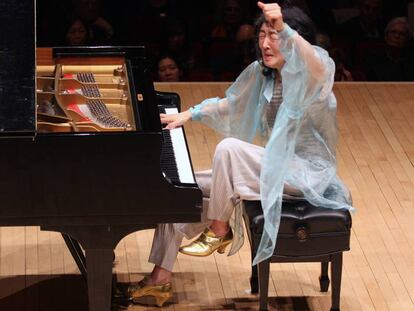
82 150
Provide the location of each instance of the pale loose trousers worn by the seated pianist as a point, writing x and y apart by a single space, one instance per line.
235 176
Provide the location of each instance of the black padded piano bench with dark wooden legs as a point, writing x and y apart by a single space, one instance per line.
306 234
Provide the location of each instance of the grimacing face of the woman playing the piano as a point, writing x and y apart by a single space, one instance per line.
269 46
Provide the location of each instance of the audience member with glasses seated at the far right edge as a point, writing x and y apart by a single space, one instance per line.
395 62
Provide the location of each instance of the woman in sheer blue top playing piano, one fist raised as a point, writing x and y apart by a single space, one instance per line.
286 97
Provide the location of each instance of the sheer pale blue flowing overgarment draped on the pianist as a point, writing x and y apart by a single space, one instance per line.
300 149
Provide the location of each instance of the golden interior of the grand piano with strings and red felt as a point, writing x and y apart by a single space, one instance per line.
83 98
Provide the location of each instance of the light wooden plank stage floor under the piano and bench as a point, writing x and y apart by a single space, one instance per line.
376 161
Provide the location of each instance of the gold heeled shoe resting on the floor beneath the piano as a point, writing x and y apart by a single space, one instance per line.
161 292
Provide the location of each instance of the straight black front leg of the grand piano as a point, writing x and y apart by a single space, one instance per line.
99 262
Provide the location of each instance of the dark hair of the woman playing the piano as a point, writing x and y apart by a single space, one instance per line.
296 19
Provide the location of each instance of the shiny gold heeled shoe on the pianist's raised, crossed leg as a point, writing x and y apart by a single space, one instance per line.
207 243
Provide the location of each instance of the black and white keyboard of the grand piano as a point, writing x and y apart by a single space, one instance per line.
175 161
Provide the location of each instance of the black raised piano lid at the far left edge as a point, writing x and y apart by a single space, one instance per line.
17 67
